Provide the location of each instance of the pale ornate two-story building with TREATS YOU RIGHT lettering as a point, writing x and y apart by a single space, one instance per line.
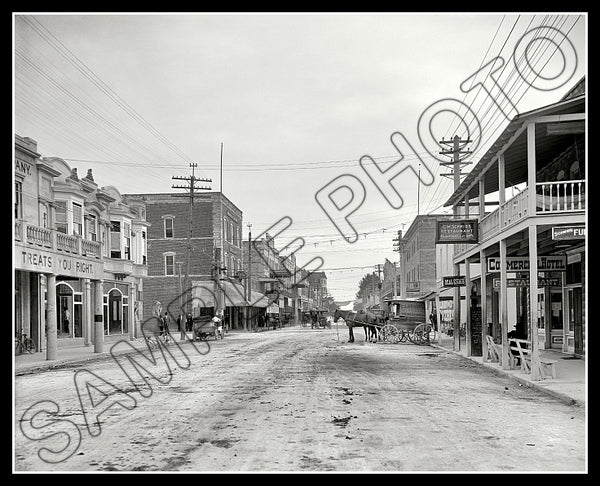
79 255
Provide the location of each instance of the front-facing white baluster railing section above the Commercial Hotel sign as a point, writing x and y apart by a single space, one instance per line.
562 196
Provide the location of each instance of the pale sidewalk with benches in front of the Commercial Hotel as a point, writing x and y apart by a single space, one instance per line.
568 386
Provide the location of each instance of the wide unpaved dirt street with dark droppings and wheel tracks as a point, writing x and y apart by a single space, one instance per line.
297 399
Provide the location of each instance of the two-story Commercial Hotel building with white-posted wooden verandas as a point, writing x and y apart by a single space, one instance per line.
532 247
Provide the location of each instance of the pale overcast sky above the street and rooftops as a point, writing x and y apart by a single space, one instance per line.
289 102
